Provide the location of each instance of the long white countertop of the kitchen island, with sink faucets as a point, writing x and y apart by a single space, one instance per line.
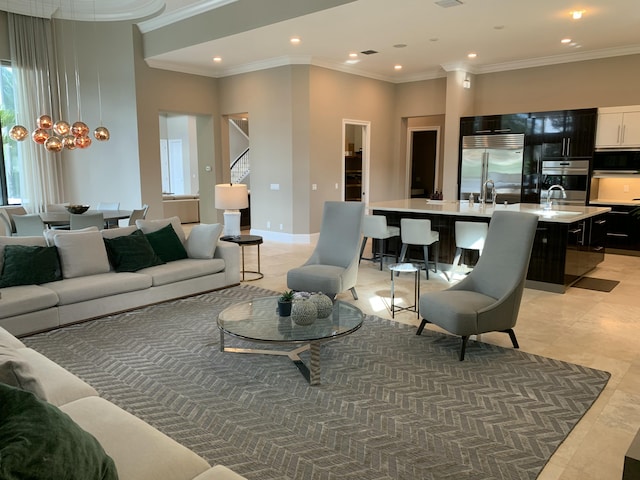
558 214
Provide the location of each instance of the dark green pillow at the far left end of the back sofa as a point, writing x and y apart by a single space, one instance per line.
29 265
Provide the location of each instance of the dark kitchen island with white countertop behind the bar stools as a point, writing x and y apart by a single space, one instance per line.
569 242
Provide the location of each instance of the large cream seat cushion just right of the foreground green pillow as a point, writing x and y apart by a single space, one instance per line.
140 451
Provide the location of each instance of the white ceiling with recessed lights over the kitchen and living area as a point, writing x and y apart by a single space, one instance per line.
505 34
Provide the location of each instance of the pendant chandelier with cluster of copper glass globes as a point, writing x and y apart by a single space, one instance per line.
58 135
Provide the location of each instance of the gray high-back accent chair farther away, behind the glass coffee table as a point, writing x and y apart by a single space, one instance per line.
333 265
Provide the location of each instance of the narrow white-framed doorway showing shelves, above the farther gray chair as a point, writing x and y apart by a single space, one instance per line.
355 165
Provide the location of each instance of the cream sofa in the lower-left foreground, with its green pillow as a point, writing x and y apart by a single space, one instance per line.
37 395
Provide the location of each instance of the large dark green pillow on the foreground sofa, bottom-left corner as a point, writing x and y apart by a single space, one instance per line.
40 442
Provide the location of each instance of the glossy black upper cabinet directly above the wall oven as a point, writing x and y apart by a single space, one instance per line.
568 133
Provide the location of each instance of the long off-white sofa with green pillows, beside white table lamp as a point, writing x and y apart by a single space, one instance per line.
90 286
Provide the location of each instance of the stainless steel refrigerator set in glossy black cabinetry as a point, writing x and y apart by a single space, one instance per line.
492 157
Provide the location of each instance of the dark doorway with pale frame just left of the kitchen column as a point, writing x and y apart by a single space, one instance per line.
422 162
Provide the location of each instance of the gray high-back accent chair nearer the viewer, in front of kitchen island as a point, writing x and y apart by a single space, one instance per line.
488 299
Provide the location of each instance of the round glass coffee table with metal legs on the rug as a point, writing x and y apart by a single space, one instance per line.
258 321
